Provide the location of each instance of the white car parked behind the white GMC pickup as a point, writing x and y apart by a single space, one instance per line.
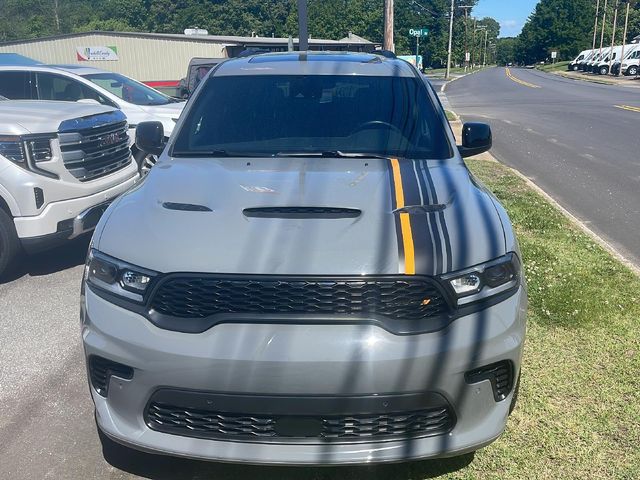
87 84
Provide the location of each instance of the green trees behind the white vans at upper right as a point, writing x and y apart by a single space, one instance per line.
567 27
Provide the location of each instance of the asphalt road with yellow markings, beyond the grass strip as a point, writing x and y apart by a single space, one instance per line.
570 137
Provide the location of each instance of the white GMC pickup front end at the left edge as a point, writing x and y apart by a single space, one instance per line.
61 164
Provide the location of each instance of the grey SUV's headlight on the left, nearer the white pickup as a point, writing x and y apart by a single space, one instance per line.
117 277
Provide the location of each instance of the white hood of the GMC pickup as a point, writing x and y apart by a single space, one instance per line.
19 117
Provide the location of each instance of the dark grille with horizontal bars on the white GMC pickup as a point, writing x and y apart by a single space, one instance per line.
95 152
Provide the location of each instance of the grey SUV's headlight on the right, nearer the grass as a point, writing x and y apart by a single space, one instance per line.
485 280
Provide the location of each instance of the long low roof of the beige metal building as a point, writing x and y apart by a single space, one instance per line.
224 39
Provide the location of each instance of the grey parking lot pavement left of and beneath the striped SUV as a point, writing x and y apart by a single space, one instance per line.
46 419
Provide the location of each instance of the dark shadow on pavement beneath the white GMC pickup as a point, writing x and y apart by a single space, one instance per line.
71 254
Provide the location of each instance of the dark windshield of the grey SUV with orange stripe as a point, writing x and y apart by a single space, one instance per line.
276 114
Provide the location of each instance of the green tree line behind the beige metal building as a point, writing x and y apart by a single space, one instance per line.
331 19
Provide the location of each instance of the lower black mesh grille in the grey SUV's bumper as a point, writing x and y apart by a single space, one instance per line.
214 424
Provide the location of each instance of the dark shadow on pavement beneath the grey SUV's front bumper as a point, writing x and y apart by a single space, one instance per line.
163 467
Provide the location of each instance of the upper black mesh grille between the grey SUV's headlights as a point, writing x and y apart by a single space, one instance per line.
201 296
